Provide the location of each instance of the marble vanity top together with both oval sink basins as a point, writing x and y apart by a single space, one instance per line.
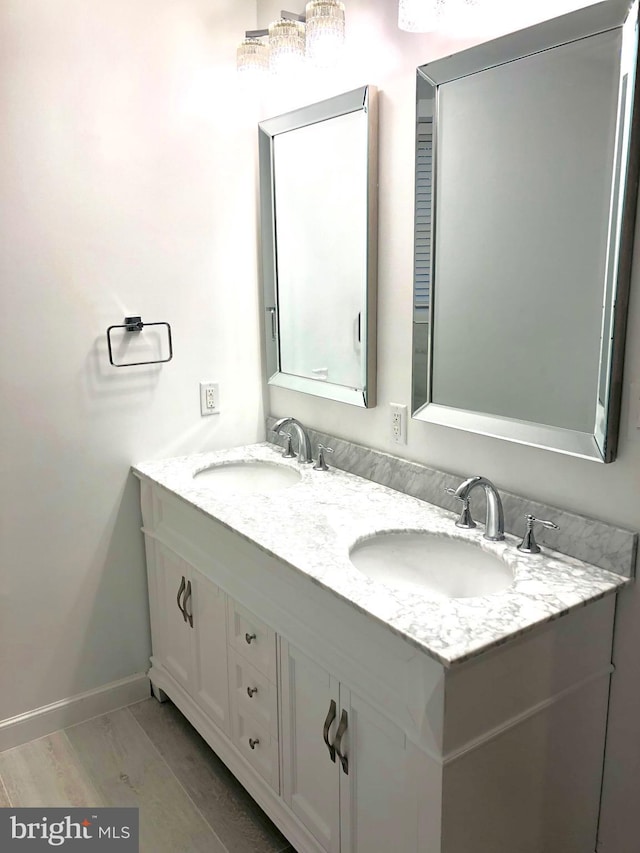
406 563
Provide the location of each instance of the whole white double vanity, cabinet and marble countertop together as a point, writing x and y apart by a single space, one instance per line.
368 715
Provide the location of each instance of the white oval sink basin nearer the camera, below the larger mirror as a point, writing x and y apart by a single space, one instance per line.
430 563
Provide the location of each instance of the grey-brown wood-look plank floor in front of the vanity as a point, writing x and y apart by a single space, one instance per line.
147 756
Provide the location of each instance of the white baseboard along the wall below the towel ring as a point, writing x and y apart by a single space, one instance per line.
75 709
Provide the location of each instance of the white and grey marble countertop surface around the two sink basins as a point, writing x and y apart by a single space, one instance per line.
312 525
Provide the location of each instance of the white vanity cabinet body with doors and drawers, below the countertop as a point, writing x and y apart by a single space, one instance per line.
502 752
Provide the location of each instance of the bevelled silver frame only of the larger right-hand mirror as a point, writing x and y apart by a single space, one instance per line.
601 444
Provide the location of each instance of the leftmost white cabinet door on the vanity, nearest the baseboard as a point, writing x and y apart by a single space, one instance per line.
174 640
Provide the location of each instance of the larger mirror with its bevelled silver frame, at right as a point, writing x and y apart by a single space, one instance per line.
526 184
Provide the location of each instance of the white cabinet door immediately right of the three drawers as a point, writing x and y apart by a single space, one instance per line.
311 786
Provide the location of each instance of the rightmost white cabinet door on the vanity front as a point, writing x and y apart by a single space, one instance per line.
378 802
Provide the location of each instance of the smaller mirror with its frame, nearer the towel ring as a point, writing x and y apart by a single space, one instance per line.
318 203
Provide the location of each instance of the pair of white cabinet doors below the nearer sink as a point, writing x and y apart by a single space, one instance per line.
351 788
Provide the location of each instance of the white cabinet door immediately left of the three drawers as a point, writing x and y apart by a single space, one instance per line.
210 684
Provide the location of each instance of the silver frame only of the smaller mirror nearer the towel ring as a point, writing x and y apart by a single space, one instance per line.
363 99
